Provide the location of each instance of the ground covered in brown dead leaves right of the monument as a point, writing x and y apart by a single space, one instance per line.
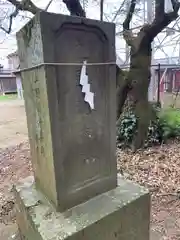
158 169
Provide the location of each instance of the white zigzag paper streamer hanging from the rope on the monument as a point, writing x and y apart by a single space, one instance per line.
89 96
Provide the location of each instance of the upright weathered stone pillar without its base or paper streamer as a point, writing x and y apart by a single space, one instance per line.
72 147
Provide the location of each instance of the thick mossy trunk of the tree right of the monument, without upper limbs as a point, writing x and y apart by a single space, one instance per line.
133 91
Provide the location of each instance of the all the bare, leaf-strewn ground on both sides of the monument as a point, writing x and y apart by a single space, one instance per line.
156 168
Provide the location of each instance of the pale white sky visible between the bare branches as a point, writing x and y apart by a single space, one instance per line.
170 43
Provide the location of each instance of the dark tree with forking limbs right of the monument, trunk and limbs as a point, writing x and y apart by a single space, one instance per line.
137 82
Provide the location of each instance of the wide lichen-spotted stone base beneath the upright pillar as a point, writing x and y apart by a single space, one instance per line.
122 213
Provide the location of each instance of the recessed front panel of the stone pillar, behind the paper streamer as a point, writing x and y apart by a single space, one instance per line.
85 132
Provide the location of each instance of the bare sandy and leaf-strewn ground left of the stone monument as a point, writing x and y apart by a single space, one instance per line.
14 151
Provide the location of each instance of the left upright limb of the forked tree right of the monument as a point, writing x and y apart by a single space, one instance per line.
127 33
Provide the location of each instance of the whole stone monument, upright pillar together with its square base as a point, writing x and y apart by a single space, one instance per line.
69 89
